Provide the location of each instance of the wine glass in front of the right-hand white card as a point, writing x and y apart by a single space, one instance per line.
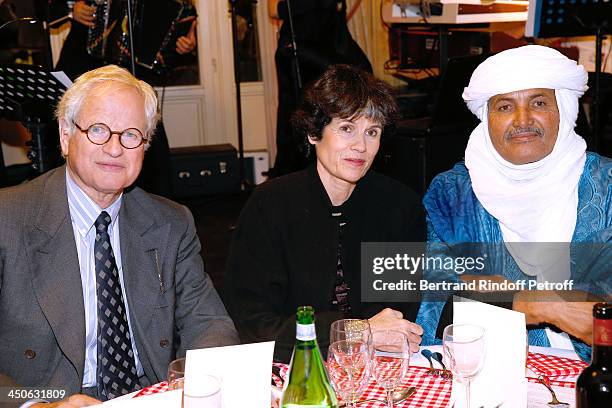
464 350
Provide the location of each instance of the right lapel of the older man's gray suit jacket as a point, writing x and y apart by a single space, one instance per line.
142 251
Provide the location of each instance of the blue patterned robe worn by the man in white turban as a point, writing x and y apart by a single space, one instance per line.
455 215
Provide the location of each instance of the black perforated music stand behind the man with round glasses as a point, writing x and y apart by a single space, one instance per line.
28 94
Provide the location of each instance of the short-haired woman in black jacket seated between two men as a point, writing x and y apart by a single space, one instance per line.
298 238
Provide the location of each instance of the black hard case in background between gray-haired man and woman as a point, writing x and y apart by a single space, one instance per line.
204 170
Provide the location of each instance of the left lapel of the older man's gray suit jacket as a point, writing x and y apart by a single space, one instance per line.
56 278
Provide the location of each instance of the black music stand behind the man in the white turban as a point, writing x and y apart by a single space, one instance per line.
573 18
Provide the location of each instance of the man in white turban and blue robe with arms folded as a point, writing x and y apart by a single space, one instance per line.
527 178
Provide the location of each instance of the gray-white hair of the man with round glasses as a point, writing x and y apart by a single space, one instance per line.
71 102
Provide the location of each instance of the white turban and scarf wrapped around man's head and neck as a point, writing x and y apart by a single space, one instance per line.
534 202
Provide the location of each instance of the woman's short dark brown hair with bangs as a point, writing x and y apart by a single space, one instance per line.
344 92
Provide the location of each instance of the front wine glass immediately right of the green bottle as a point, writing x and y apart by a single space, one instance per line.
348 365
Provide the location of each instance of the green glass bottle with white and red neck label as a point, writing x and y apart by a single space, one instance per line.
308 384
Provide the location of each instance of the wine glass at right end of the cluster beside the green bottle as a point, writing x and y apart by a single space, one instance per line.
390 360
